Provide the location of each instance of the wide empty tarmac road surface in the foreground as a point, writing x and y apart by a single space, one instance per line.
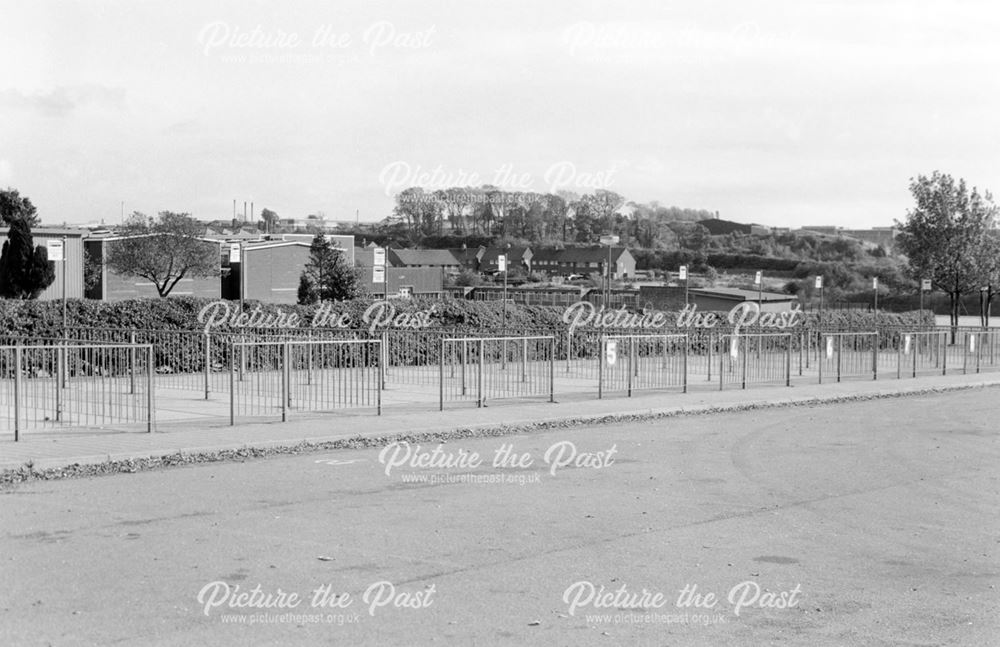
874 523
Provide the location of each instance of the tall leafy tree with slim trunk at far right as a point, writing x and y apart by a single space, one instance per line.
944 235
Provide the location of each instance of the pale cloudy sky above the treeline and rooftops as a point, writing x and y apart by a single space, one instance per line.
779 113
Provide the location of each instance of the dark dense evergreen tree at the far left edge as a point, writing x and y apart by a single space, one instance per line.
25 270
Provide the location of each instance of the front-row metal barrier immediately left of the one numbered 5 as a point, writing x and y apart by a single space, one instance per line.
478 369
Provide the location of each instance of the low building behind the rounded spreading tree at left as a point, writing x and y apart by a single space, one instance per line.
112 286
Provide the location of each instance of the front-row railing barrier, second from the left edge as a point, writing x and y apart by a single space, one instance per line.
277 378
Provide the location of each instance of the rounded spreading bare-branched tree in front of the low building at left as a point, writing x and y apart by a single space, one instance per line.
163 250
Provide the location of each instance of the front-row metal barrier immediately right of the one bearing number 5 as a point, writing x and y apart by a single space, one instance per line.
756 359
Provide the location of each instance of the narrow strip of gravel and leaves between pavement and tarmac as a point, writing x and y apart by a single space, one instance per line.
27 472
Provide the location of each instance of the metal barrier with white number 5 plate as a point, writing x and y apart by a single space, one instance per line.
641 362
